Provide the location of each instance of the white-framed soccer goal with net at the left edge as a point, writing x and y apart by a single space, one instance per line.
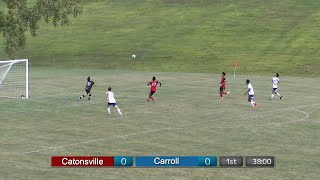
14 78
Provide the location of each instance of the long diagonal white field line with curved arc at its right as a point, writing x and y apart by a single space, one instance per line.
168 128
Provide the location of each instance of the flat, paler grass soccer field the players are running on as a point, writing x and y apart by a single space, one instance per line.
187 119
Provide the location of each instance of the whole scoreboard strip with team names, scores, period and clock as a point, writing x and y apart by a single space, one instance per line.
163 161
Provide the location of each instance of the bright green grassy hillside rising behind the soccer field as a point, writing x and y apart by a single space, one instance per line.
185 36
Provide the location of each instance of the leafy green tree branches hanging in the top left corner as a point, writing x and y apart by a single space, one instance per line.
19 18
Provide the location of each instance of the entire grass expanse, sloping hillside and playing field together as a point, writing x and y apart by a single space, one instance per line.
171 39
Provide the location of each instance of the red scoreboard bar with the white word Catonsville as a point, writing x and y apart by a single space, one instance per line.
82 161
